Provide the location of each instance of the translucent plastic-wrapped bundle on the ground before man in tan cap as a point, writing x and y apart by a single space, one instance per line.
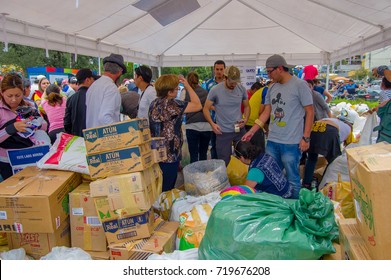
205 176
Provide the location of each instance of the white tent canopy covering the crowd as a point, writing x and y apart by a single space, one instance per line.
196 33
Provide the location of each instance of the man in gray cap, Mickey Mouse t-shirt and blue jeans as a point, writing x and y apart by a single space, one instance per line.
289 106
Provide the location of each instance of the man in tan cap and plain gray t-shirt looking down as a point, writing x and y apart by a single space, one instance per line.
227 97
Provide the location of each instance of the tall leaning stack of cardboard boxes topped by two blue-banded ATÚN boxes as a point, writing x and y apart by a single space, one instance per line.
123 158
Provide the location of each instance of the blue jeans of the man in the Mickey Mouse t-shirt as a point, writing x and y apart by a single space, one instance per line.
288 158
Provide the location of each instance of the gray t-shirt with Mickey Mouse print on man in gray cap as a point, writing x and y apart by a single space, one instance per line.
287 114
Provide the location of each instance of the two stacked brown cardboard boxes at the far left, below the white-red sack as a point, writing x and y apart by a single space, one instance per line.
34 209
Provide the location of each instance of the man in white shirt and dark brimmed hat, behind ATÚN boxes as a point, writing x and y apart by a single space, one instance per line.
103 99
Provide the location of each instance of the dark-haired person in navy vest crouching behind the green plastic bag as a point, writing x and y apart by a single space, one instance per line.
264 174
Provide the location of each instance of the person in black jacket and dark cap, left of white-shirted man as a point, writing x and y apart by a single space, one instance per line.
75 112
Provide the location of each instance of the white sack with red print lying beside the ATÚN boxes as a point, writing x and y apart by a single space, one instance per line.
67 153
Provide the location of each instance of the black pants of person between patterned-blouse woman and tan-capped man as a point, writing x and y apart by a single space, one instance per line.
198 142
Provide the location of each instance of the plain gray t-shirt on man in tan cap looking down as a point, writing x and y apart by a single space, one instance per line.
227 105
